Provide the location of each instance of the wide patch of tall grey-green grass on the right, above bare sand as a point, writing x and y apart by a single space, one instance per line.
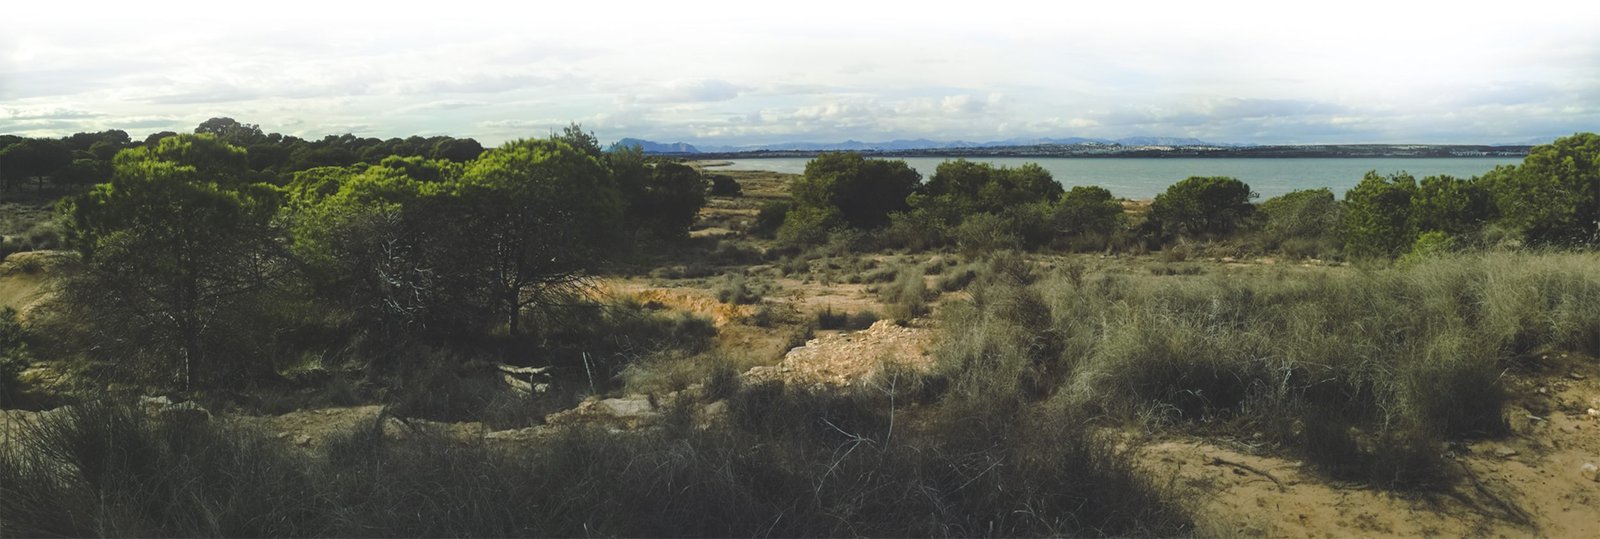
1366 373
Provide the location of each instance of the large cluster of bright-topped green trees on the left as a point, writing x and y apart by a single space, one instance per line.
201 269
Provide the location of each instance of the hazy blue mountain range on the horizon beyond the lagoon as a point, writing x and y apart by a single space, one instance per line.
913 145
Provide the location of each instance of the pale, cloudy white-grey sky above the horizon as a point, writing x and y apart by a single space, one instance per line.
751 73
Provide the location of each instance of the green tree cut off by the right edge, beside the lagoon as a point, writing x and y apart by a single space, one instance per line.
1554 198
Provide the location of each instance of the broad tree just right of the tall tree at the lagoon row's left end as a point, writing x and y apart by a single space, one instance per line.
978 188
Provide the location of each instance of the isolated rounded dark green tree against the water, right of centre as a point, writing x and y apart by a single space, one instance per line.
1204 207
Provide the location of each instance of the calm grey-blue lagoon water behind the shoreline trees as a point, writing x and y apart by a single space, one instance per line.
1145 178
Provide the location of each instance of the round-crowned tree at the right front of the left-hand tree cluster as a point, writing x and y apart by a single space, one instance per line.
540 215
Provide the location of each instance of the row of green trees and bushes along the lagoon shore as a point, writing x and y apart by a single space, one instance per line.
1553 199
